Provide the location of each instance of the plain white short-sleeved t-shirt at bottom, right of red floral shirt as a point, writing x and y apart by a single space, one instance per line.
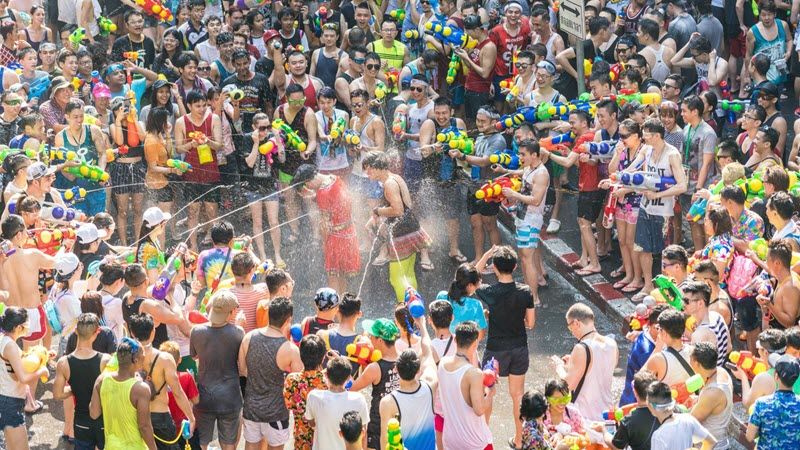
326 409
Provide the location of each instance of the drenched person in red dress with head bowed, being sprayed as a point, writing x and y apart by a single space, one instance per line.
338 232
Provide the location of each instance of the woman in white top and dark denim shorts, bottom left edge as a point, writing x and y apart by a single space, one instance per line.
13 378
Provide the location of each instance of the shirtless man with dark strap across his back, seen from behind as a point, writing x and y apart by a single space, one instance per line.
160 371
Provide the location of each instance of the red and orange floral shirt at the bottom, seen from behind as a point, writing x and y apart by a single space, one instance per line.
295 392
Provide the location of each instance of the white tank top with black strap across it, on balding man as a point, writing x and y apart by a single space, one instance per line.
595 395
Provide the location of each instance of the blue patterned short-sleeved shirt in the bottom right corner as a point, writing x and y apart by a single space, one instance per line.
777 417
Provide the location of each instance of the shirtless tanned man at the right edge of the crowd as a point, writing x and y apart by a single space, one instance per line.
783 308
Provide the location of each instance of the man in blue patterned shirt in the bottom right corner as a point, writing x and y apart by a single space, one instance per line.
776 418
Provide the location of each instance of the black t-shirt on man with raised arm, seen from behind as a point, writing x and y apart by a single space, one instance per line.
507 304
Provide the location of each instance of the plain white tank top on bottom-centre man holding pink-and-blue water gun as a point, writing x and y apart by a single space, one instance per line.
465 430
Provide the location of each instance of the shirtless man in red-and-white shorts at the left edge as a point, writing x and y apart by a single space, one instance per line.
21 271
